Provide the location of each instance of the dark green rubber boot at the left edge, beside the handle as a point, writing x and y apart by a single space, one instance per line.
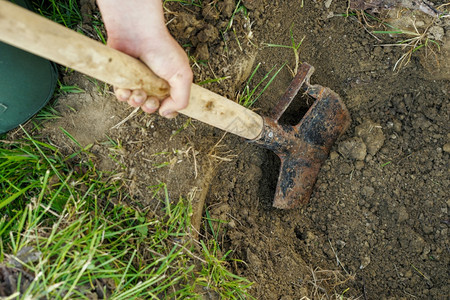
27 83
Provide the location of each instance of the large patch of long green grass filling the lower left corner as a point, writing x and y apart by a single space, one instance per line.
66 226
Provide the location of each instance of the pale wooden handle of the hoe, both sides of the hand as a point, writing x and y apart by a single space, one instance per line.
38 35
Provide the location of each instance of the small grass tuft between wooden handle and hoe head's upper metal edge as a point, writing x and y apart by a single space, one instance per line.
251 94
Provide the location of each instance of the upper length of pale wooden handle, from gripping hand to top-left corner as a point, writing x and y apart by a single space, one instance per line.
38 35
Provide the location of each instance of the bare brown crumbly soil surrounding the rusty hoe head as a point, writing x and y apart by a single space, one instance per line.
377 224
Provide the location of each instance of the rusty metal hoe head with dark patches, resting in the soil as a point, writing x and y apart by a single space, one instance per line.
304 147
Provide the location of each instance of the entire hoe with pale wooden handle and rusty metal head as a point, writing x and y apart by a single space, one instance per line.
302 148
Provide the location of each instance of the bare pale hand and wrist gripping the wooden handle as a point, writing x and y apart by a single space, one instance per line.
137 27
